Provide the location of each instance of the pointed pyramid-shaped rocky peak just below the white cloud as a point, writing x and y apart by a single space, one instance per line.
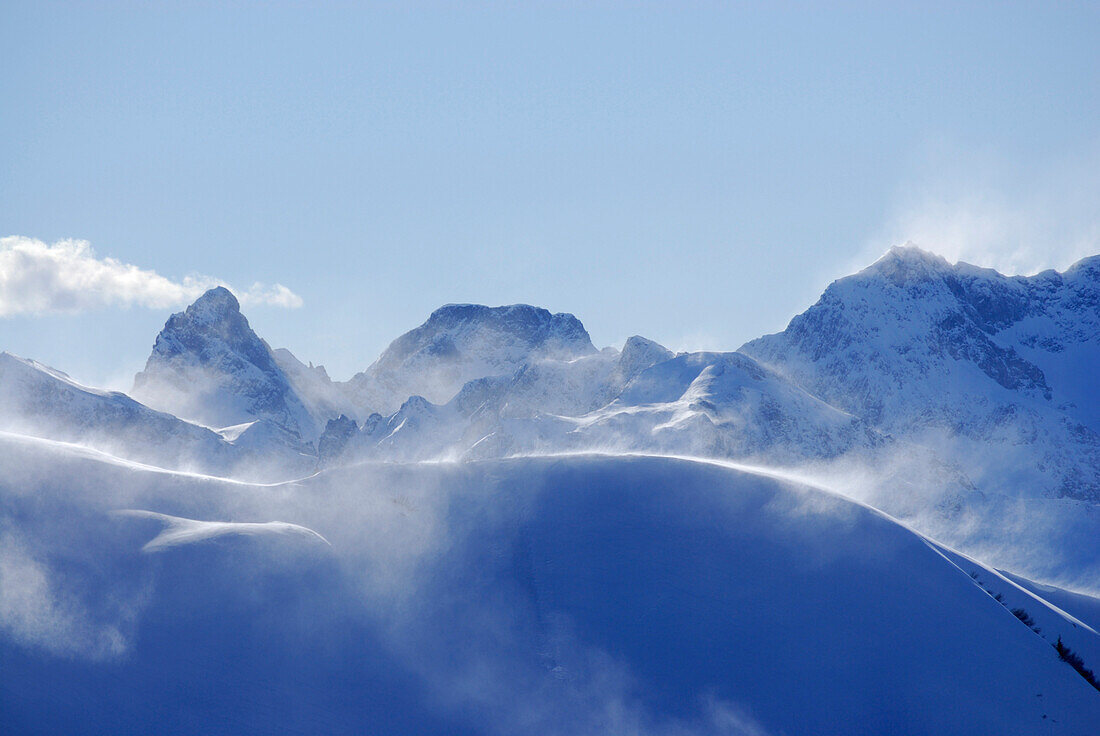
208 366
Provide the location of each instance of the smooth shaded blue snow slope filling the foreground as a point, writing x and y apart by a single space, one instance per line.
543 596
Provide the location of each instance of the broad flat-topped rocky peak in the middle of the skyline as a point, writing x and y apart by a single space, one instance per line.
463 343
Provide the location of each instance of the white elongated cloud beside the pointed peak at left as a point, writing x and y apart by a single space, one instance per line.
68 277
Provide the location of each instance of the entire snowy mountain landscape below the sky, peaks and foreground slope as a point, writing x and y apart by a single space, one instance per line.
885 519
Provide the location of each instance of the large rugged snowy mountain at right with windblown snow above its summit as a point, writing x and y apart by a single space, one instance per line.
994 371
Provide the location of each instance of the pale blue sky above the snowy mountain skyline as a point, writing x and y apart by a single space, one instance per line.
696 173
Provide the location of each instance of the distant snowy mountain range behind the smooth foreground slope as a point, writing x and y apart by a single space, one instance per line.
953 390
